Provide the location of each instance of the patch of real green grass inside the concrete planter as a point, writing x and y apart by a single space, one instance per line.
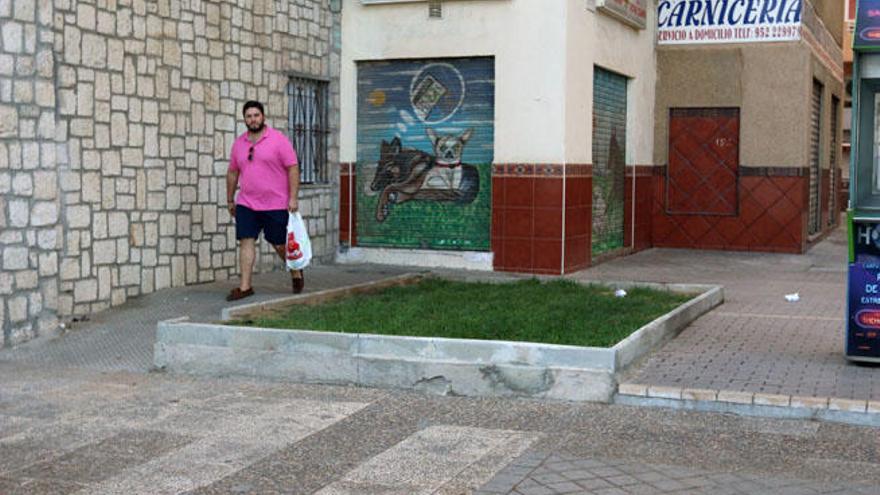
556 312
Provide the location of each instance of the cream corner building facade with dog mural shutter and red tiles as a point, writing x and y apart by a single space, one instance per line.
493 134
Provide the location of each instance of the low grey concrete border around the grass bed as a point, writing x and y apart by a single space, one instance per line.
435 365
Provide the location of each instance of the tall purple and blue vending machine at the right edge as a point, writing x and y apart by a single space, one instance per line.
863 214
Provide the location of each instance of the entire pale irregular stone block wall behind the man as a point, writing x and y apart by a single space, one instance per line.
116 120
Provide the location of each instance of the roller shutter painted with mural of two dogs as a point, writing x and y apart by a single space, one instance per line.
425 146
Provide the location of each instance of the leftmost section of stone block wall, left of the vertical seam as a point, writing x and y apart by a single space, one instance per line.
31 236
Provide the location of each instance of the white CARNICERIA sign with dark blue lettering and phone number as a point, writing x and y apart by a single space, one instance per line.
686 22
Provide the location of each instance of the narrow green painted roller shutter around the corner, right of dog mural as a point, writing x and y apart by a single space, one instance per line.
609 160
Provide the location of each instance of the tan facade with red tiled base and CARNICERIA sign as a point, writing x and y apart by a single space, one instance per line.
748 126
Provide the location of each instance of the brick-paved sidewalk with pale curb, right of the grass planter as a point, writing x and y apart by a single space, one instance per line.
756 348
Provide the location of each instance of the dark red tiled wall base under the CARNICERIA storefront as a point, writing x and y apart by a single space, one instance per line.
772 214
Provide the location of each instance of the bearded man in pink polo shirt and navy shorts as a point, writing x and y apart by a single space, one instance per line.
264 166
